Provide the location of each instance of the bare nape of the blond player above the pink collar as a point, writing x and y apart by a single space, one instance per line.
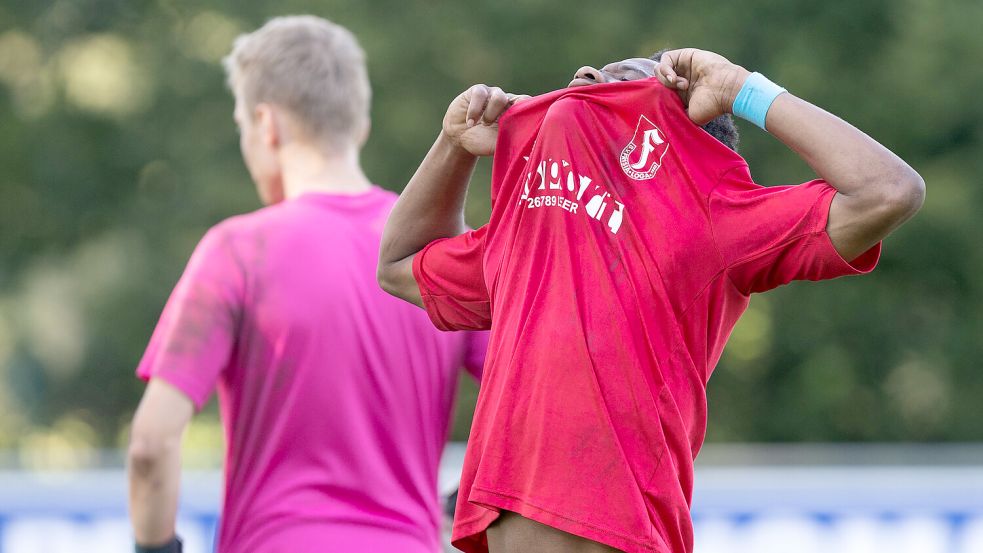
307 169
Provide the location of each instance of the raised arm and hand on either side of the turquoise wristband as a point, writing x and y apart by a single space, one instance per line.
876 190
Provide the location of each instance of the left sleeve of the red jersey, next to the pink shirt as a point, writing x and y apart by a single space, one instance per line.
452 284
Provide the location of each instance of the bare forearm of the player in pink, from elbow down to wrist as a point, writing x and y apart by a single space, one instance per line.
155 474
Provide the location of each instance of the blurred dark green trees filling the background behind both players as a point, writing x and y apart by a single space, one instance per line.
118 151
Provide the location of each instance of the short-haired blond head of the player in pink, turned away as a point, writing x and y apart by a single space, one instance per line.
297 79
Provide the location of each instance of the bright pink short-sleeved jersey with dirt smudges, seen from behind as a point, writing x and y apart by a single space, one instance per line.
335 397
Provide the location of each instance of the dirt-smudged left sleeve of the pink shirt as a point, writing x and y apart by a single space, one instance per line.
193 340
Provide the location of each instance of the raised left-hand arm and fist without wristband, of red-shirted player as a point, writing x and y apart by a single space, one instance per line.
432 204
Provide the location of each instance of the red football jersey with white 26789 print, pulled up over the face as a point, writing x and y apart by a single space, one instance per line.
623 244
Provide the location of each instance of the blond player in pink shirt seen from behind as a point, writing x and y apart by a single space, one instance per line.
335 397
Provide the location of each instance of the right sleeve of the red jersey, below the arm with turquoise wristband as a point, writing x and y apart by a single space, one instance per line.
770 236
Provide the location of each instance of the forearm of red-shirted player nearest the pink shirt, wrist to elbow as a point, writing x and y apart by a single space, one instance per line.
432 204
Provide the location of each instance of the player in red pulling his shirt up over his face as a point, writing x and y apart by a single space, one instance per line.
623 245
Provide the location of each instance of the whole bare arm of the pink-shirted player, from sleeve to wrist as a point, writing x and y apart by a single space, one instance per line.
154 462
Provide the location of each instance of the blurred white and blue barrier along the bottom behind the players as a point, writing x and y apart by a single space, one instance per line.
748 499
